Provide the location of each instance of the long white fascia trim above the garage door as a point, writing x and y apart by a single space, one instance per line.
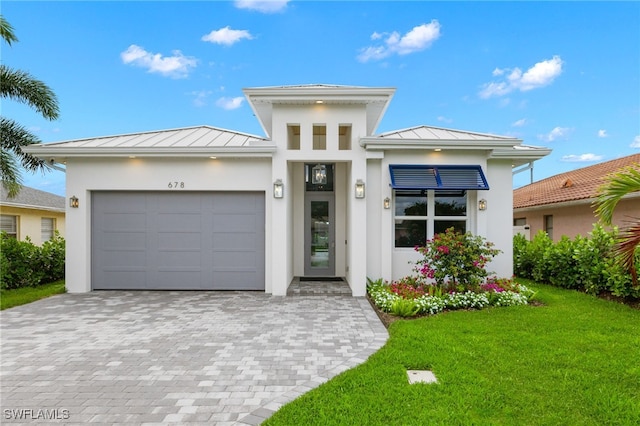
254 151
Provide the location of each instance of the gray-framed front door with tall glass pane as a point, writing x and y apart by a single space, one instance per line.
319 244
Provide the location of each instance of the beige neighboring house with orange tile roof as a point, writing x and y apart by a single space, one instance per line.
563 204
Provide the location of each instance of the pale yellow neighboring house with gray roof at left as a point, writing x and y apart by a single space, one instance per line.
32 213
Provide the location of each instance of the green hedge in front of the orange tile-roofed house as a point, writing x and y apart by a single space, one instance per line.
584 263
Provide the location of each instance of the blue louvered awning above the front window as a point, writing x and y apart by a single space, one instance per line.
423 176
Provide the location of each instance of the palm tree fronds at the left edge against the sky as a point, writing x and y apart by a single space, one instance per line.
21 87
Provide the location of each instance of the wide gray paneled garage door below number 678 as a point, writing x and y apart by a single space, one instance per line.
178 241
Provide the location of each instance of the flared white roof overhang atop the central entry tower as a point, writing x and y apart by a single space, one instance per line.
375 99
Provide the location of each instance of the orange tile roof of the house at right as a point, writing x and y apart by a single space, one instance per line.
580 184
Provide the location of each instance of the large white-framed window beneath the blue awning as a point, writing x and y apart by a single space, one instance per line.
421 214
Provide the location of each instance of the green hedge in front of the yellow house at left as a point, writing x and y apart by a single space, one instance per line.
23 264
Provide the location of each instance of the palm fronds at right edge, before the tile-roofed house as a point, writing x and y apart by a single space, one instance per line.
616 186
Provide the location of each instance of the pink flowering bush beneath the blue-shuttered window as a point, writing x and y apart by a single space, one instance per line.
455 261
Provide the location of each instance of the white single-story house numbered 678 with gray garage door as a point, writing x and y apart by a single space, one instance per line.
322 195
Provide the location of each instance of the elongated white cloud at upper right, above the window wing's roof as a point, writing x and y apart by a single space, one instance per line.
541 74
